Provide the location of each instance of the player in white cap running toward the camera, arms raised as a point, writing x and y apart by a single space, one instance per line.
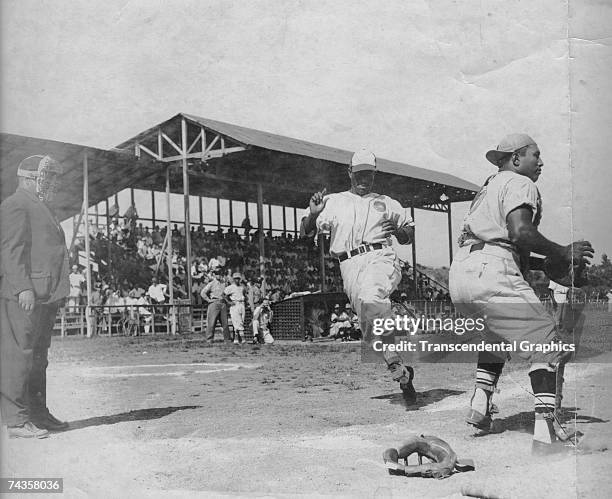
361 224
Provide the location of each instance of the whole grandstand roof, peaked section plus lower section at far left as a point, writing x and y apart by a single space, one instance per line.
230 163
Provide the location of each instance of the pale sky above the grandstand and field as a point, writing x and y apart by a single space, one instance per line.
431 83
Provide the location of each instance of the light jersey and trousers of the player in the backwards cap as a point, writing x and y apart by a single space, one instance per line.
486 274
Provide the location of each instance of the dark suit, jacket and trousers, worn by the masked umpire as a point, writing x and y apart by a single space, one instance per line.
33 256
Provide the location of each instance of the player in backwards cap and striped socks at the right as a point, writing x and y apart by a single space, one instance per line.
486 279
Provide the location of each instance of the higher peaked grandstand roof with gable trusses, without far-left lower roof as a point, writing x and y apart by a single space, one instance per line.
289 169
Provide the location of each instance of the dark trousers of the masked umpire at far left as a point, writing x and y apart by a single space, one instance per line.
24 344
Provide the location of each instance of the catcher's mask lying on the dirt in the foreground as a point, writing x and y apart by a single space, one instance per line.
443 459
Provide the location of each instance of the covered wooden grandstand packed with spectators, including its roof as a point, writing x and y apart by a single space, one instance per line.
201 159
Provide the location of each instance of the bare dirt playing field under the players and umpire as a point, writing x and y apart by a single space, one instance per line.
168 417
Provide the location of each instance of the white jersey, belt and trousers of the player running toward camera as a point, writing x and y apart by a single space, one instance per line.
369 265
